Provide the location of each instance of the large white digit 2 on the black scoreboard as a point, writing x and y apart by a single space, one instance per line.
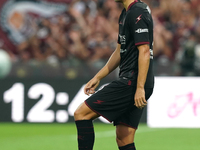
39 112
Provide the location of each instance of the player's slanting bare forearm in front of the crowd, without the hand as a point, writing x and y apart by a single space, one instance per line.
111 65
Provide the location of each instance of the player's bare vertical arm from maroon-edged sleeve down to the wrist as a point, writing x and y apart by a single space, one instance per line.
143 65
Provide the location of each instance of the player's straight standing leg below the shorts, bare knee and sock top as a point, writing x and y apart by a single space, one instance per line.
125 137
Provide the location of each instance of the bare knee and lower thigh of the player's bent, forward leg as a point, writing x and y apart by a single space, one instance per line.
83 112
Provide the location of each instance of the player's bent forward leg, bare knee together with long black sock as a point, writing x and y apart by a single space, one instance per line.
83 119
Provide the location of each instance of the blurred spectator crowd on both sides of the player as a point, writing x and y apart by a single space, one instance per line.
87 33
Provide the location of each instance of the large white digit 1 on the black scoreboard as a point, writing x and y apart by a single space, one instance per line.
15 96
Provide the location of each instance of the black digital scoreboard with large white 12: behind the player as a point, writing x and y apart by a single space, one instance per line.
43 101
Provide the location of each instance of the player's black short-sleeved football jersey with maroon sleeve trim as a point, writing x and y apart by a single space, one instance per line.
135 28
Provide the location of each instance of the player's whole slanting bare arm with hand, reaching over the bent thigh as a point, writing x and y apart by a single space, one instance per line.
111 65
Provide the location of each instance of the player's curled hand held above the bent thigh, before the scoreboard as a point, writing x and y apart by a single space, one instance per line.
91 86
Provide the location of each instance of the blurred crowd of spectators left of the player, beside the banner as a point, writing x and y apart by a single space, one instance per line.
86 33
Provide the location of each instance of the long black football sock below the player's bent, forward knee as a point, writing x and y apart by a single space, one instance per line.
85 134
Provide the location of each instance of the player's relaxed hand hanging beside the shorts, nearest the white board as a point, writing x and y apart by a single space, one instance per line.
139 98
